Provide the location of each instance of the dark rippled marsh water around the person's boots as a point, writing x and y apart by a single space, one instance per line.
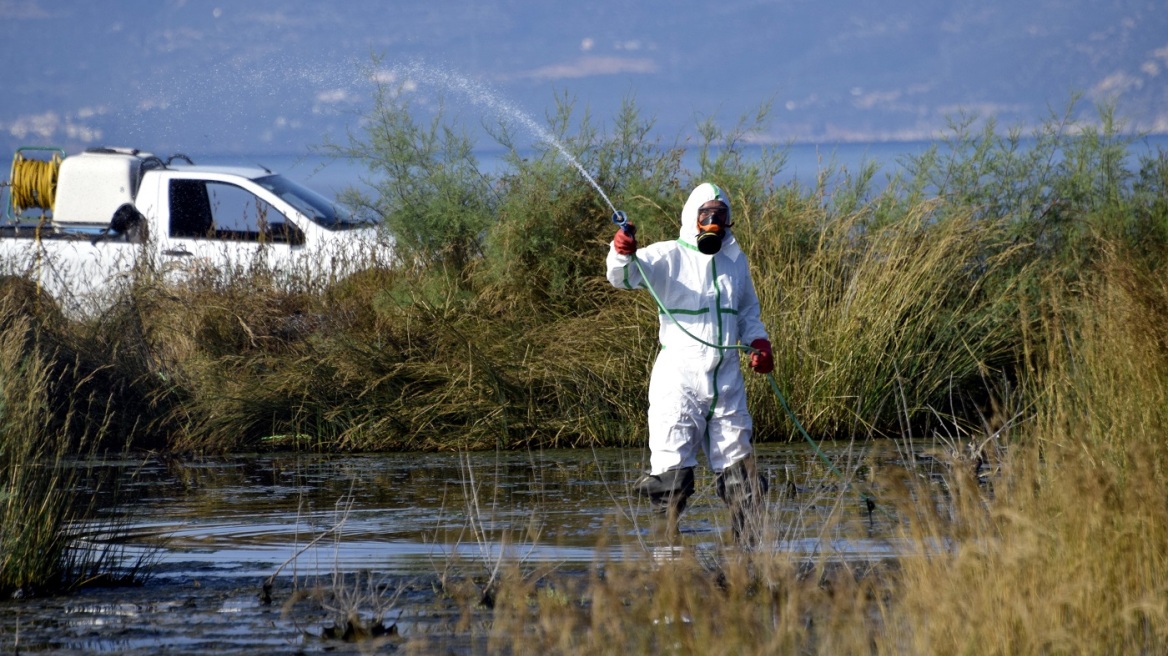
212 532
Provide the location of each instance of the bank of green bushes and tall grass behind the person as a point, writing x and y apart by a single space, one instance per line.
891 309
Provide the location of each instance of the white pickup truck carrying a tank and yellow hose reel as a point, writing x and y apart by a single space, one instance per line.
80 225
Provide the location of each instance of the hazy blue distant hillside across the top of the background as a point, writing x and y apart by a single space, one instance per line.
277 76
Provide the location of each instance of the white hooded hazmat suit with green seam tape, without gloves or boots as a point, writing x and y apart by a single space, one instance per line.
697 395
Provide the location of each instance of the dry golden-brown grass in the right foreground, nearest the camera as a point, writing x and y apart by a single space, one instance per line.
1061 548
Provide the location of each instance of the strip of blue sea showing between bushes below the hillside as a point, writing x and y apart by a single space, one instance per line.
804 163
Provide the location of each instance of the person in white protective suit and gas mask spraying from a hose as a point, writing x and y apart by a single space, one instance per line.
698 401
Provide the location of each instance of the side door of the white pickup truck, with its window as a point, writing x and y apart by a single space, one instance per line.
226 227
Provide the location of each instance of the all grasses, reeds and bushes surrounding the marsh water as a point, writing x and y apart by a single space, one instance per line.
1011 302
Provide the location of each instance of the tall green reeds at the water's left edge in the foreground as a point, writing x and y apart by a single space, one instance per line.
46 455
